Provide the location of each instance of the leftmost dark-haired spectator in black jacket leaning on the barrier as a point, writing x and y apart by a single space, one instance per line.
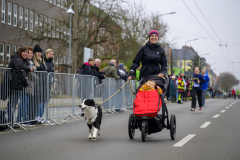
18 60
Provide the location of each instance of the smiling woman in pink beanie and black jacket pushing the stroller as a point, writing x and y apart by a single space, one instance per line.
151 55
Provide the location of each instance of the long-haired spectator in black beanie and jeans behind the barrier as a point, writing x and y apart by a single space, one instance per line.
41 87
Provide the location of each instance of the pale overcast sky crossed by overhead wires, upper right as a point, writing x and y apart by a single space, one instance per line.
223 16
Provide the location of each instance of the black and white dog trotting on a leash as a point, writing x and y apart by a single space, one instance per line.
93 116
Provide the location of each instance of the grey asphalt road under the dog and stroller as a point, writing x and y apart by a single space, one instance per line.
219 140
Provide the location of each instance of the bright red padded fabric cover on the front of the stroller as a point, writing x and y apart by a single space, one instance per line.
147 103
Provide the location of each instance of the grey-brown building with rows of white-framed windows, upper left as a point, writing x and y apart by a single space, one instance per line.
30 22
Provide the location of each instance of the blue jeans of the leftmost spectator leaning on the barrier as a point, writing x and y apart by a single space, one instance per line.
11 105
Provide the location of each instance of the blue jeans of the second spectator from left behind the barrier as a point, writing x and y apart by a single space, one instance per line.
23 108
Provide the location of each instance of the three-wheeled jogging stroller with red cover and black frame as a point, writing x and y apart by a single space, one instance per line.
146 107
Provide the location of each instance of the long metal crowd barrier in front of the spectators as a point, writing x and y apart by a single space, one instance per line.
52 96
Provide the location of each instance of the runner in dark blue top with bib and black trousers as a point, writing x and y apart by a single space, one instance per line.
197 81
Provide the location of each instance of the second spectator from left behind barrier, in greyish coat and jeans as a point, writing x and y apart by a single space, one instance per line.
26 105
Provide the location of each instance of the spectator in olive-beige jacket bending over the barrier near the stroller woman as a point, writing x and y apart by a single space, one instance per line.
111 70
